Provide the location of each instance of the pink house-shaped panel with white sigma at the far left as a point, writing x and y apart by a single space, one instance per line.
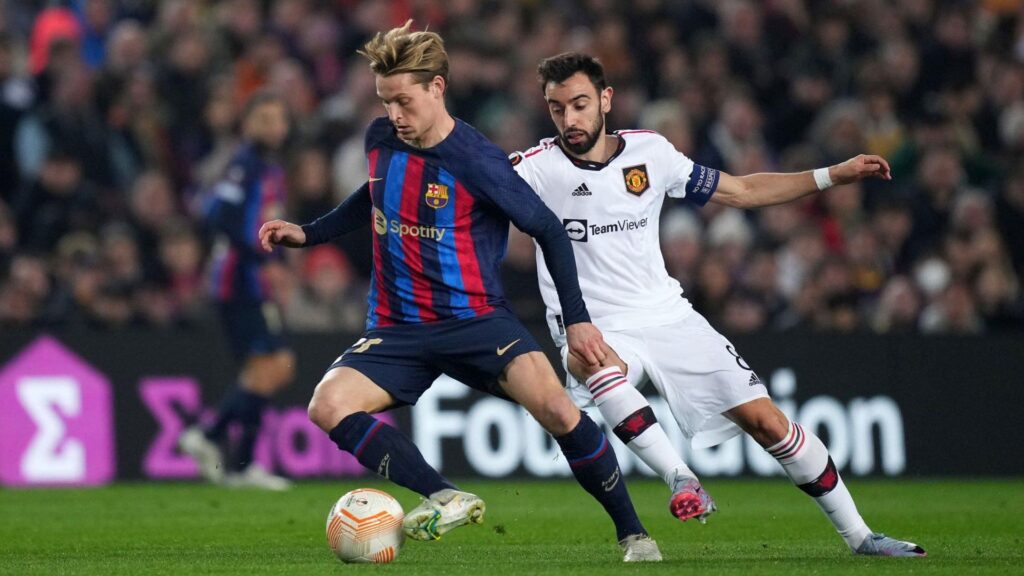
57 425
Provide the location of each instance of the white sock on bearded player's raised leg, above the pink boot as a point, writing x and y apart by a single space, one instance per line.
634 424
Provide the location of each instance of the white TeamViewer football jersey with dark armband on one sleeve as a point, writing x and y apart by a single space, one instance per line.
611 213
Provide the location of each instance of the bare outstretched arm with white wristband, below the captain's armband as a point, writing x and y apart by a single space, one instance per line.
755 191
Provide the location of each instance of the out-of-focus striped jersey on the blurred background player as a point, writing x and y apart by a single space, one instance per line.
251 193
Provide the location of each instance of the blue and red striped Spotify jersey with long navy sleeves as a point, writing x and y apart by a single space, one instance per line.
441 221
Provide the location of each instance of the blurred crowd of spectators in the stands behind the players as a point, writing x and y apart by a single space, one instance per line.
116 116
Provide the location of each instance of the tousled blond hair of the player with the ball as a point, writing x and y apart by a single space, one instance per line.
400 51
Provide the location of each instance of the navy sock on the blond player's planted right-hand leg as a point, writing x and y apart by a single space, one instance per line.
594 465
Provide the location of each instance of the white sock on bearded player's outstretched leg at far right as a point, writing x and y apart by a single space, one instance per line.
807 463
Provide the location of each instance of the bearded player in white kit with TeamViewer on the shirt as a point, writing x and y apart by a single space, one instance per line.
609 190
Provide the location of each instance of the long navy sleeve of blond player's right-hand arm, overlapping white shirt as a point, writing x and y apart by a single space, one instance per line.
497 180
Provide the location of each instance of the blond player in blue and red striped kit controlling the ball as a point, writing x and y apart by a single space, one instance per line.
439 201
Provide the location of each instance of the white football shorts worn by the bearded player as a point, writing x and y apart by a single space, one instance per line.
696 369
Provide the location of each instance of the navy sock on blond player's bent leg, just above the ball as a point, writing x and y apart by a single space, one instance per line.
387 451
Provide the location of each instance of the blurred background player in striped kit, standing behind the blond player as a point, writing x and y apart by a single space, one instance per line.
251 192
